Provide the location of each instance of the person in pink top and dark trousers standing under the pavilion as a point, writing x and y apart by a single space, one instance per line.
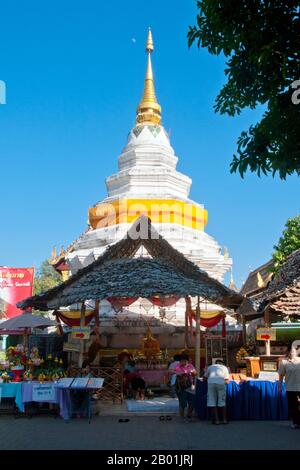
185 373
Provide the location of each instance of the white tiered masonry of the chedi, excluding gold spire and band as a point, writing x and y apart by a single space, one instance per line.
147 170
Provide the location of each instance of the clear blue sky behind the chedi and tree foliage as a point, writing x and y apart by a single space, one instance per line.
74 77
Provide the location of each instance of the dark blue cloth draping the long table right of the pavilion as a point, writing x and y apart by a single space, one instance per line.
253 400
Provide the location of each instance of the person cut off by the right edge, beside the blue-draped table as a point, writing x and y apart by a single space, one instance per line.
289 369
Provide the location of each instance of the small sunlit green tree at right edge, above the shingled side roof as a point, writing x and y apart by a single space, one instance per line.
288 242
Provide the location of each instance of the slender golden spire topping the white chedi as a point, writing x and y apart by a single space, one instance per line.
149 111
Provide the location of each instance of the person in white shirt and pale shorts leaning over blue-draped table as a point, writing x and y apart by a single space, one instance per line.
217 376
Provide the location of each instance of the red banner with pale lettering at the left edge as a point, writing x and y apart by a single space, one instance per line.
15 285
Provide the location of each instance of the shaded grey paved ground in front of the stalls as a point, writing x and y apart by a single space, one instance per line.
144 433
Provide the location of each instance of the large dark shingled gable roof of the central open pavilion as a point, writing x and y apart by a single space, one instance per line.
118 274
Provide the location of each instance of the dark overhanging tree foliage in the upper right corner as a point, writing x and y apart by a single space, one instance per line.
261 40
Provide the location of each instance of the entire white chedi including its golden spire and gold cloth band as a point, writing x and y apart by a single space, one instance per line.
148 183
